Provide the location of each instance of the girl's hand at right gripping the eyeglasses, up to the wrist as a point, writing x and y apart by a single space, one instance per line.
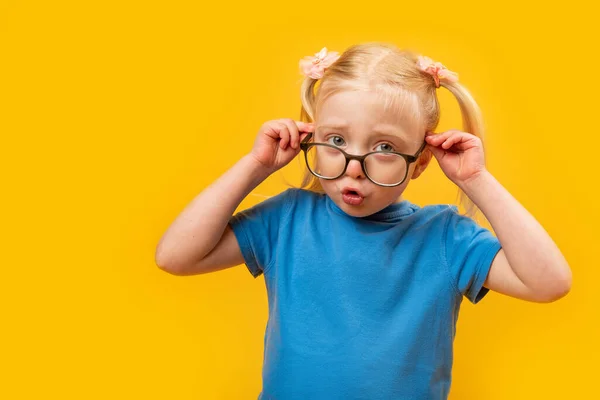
459 154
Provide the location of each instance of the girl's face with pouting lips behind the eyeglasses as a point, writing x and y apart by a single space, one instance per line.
357 122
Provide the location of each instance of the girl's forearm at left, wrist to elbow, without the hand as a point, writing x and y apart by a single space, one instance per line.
199 227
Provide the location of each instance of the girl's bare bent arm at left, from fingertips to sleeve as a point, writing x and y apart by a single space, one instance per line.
200 239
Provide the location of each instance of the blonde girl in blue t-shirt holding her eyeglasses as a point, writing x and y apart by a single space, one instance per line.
364 287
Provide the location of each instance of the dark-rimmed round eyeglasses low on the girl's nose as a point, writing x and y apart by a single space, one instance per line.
383 168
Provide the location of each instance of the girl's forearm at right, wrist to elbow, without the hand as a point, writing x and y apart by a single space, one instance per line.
530 251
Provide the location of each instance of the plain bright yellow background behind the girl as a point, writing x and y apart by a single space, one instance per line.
114 115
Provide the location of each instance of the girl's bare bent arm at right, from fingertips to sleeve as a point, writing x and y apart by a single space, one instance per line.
530 266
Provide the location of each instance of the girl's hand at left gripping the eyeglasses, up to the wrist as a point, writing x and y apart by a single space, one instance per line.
278 142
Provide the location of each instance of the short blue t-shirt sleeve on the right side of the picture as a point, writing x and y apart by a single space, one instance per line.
470 251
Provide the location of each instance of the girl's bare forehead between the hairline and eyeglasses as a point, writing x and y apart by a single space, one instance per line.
370 112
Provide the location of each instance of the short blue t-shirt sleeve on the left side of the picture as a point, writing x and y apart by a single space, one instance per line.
256 230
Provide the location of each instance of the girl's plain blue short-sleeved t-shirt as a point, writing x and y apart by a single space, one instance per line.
361 308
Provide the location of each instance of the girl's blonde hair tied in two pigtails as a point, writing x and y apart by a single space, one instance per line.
393 74
